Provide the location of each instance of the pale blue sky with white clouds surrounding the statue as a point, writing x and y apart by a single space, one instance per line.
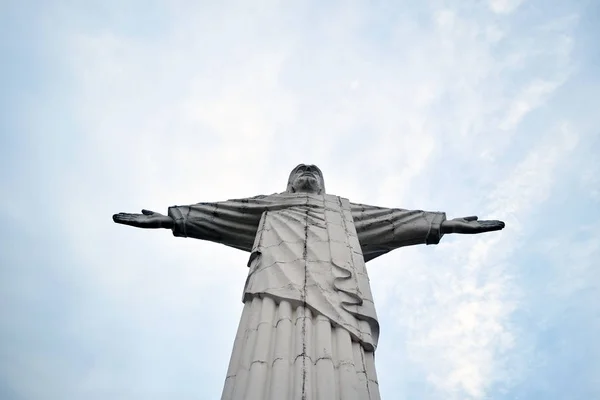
471 107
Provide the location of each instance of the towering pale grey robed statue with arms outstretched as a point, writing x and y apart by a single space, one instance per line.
309 328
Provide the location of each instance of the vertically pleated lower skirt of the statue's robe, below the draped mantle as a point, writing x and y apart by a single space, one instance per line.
284 350
